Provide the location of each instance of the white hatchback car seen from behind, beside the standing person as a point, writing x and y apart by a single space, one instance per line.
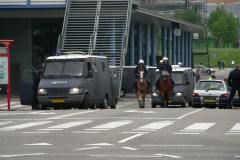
210 93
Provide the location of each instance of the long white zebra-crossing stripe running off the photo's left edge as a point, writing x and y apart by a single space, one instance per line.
25 125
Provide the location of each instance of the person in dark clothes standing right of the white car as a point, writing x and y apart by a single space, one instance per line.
234 83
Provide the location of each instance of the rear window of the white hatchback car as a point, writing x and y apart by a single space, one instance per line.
210 85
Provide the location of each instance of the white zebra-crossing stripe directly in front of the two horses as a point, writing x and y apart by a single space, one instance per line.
155 125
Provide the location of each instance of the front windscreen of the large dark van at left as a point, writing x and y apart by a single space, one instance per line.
64 68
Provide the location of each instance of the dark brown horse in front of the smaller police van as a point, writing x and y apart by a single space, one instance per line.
165 87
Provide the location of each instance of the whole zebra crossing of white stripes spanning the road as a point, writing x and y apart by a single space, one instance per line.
80 126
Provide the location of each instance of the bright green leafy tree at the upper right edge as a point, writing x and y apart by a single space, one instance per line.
224 26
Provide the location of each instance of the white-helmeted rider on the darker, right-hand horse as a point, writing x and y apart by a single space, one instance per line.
164 68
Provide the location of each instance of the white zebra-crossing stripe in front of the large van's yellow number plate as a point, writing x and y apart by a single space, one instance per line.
68 125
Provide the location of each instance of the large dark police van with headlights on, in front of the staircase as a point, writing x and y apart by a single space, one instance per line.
76 80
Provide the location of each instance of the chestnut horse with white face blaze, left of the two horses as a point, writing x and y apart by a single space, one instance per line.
141 89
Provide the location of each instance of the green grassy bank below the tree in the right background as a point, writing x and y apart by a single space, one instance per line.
216 54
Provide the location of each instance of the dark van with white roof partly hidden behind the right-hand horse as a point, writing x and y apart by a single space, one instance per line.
184 83
